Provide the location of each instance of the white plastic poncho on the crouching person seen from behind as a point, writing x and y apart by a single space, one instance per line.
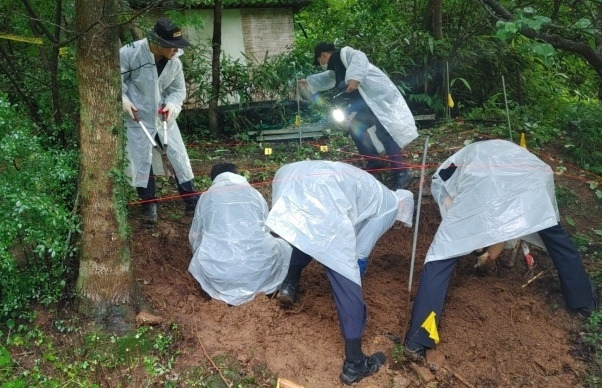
235 256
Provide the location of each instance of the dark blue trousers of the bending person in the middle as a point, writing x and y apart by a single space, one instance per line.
348 296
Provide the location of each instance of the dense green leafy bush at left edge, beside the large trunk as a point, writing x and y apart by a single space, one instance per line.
37 187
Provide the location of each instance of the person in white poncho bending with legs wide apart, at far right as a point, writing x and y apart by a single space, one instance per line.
490 192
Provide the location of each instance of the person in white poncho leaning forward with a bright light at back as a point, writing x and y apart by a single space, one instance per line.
376 101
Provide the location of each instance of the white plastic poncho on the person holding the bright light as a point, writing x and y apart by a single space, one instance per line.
381 95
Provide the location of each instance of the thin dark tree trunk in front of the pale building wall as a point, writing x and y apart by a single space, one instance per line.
215 66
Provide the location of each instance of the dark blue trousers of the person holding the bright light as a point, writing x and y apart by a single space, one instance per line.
358 129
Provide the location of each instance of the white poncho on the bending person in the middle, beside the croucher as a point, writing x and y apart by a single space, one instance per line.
334 212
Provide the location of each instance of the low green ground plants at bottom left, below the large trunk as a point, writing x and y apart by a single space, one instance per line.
91 358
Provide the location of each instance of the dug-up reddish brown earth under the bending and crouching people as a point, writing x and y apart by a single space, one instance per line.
496 331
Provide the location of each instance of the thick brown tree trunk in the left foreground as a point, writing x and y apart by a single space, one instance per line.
105 286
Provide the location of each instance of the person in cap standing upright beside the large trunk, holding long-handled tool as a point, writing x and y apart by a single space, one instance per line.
153 88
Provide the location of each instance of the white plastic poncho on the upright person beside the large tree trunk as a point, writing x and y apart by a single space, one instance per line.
147 91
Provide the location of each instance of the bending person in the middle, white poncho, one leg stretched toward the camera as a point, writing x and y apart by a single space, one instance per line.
335 213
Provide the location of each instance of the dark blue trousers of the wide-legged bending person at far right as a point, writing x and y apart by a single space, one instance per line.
436 275
